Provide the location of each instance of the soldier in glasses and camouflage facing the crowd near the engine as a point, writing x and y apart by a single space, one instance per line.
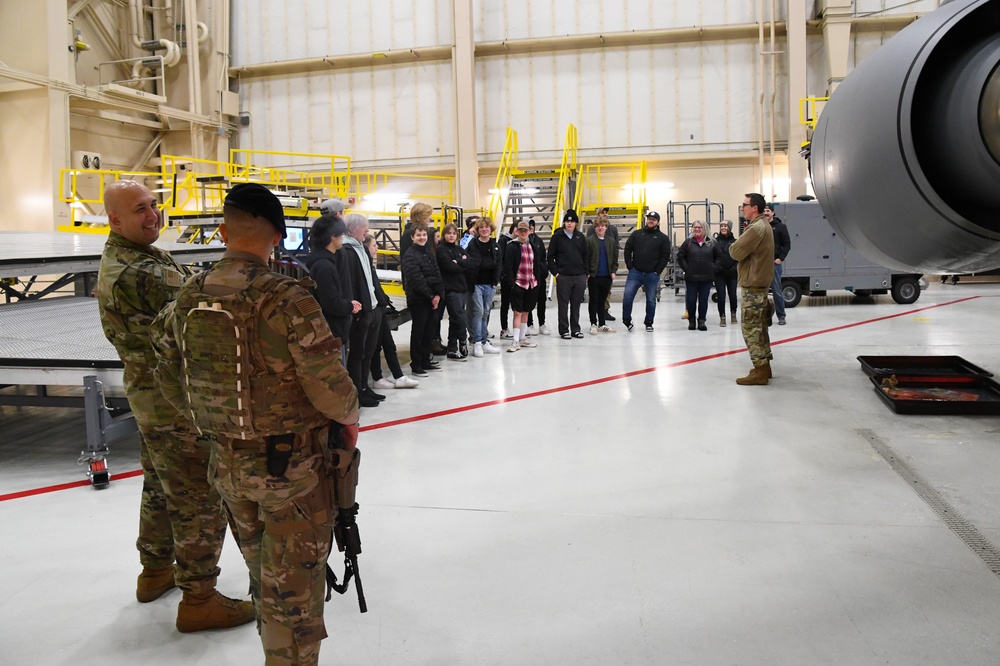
754 250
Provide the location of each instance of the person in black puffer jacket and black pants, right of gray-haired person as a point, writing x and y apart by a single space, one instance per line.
424 293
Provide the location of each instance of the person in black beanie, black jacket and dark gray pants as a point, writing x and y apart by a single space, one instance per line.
568 264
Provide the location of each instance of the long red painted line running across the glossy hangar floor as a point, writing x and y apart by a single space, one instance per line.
538 394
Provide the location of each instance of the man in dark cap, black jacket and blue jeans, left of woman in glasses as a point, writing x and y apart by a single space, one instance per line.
647 253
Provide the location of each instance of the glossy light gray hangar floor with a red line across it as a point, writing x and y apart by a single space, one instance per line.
611 500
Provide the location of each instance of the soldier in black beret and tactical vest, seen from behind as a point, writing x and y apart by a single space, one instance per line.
249 355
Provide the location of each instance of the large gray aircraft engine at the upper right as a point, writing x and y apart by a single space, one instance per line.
905 159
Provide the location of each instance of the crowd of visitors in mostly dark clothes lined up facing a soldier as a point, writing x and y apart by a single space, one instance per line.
461 273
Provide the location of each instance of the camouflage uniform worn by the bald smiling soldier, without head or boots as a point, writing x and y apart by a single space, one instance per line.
181 515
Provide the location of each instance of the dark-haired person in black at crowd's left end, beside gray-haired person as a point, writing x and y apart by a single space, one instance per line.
333 289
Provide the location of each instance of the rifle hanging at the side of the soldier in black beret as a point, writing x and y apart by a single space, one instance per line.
346 531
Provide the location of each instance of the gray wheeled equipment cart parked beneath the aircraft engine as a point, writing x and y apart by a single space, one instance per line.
820 260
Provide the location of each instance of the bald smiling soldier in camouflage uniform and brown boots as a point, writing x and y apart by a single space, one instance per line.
181 517
